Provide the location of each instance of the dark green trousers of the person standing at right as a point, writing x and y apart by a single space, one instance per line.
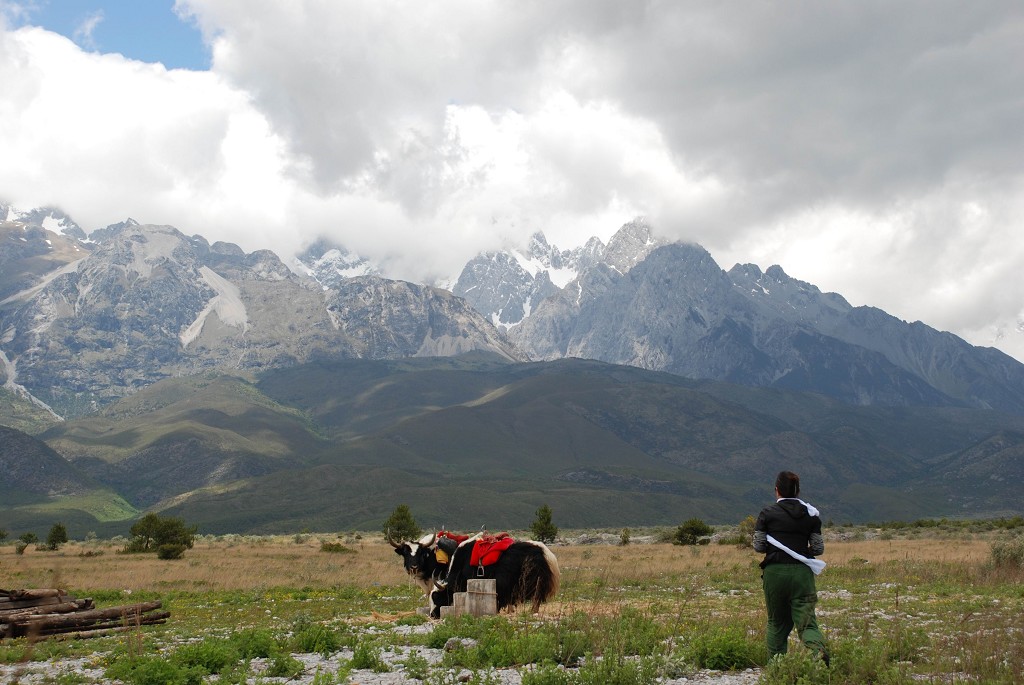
791 596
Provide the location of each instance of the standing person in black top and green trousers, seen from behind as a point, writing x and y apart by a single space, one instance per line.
789 533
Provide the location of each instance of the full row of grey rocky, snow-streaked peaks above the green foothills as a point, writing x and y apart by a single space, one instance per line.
83 323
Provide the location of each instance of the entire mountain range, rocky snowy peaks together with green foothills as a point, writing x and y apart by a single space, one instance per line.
250 395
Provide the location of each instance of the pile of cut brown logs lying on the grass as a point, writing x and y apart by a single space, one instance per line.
46 613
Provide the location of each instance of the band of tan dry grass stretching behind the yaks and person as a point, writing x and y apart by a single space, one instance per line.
281 563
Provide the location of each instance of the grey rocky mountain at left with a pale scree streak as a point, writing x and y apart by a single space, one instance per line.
149 303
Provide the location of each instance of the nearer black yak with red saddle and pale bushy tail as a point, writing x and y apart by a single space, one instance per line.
526 572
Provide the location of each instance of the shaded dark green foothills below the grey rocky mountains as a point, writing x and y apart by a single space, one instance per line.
473 442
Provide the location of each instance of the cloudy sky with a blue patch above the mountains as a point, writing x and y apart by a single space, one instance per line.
874 149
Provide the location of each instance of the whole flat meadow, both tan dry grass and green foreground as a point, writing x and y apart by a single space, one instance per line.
943 605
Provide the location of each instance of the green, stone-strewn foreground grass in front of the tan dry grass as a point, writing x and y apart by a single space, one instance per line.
900 622
